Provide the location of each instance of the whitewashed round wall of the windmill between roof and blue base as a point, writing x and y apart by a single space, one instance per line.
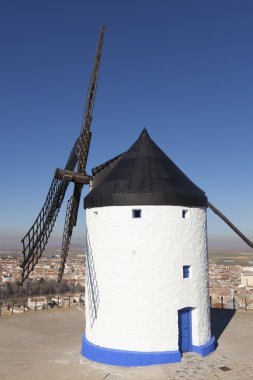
138 269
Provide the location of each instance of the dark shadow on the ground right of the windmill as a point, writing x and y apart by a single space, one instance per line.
220 319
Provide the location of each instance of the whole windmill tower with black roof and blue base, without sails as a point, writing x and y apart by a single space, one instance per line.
147 297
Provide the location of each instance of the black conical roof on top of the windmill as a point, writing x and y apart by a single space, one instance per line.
144 175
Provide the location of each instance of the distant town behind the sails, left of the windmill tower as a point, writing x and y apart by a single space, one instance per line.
43 279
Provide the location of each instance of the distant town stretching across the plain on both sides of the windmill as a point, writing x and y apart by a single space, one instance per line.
230 276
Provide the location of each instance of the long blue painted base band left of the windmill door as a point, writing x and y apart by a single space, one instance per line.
127 358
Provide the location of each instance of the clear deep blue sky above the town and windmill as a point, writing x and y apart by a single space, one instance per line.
182 69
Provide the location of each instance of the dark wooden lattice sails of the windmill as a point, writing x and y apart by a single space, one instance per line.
34 242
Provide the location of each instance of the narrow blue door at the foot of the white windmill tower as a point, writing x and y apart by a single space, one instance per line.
185 330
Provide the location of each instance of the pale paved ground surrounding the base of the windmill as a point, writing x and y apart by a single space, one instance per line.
46 345
